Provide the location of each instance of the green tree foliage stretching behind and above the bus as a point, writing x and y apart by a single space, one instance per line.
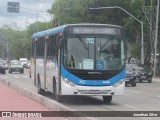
77 11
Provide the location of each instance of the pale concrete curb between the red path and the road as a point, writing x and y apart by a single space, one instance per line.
49 103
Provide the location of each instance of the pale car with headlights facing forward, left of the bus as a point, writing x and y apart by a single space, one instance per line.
16 66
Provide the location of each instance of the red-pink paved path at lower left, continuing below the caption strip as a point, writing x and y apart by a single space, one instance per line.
11 100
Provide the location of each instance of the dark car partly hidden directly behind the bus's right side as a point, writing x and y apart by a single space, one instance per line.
130 77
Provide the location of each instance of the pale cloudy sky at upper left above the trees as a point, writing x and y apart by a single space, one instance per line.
27 13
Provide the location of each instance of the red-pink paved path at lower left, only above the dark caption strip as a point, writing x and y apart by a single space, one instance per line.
11 100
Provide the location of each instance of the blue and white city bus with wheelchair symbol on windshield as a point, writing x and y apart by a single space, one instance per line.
79 59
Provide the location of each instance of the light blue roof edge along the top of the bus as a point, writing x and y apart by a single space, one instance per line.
61 28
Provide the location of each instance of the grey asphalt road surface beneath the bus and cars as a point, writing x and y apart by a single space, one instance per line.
144 97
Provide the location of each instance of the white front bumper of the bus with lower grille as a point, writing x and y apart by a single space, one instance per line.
70 89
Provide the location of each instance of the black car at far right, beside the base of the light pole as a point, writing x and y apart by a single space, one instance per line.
142 73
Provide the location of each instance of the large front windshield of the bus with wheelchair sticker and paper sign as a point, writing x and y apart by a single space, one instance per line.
94 53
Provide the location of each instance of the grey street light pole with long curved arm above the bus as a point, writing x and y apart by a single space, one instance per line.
141 22
